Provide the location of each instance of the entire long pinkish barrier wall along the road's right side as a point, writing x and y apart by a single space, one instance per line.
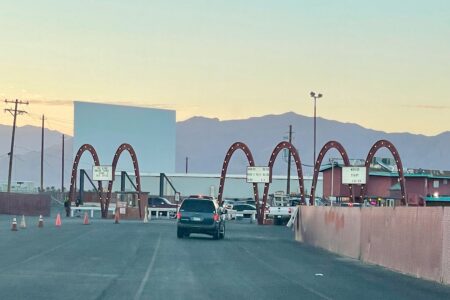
411 240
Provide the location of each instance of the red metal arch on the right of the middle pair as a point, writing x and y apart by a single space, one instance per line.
275 152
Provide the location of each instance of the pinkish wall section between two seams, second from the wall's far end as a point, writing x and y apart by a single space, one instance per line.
406 239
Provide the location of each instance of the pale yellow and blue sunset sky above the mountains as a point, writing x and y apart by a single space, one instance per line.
382 64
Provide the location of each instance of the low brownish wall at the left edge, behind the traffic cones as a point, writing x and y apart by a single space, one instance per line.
25 204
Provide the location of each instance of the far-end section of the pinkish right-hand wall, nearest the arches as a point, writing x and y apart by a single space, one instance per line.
336 229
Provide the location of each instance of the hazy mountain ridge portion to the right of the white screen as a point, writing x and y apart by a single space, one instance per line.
262 134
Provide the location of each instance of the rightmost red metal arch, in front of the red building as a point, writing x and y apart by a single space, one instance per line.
377 146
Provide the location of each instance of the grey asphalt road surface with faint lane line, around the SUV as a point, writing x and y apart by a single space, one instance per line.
132 260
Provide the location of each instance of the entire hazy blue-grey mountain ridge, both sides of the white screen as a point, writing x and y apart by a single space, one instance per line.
205 142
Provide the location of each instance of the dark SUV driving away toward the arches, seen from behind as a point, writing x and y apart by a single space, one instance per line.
200 215
